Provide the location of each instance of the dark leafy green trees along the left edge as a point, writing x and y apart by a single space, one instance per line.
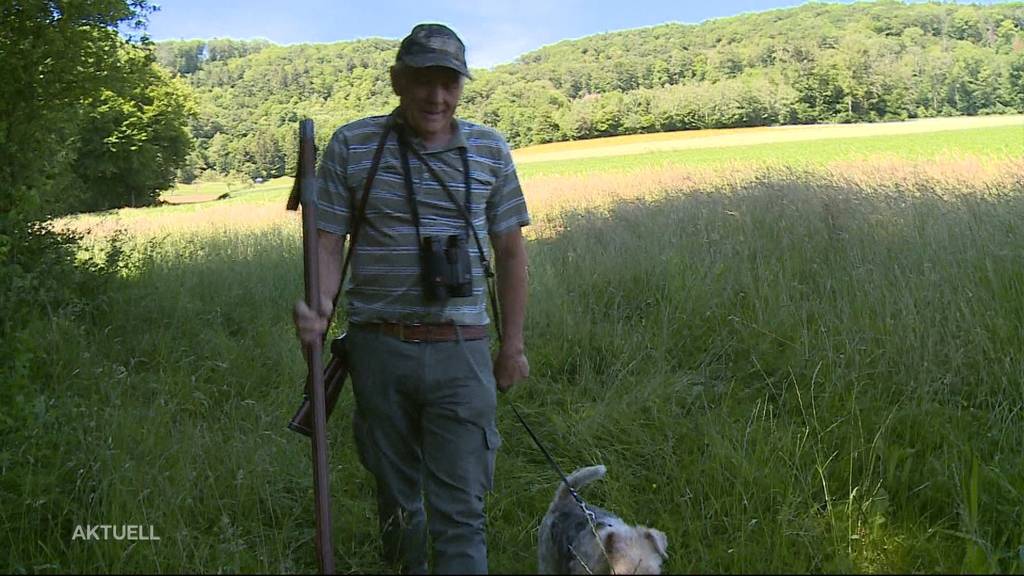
71 83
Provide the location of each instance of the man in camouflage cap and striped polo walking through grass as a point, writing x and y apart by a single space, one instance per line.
422 374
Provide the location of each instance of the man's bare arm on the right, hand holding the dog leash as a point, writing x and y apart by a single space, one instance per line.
510 260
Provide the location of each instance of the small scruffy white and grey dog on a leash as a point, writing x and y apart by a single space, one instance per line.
568 544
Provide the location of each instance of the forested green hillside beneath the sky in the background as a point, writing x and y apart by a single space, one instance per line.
814 64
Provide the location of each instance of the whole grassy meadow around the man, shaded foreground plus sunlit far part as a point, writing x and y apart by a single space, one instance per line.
792 357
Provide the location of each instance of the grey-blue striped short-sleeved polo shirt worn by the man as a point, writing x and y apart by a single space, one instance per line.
386 281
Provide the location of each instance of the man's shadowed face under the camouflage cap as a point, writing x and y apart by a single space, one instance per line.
430 97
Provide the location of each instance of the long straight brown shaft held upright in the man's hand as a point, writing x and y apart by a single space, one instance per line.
306 186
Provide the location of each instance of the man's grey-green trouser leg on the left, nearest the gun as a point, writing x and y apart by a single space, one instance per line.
387 425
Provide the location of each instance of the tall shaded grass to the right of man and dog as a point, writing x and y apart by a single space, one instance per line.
795 375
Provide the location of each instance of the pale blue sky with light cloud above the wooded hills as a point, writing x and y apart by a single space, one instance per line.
495 31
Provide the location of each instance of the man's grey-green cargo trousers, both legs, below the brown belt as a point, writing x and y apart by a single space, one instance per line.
424 426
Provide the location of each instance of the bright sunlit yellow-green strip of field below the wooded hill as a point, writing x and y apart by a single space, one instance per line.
593 180
